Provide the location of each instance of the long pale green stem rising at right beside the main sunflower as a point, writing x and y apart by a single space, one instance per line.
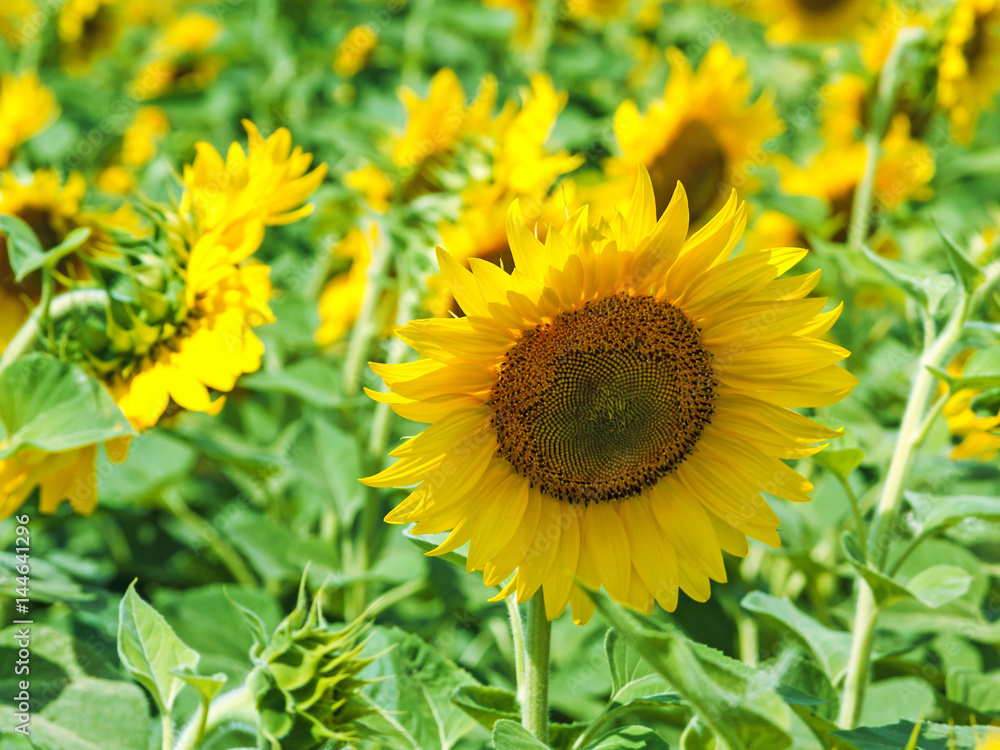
883 531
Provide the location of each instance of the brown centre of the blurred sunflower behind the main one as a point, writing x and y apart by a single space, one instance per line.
696 159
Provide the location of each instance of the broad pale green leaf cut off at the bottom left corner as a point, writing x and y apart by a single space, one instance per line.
94 714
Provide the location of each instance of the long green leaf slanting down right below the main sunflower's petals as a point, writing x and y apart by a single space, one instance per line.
736 702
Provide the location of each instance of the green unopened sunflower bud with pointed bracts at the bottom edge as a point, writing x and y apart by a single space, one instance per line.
305 681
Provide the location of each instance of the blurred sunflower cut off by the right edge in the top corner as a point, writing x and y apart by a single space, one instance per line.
969 71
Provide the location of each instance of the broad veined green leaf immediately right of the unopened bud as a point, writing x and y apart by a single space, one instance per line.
413 686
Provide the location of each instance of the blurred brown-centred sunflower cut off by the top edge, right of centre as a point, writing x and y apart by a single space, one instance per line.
811 20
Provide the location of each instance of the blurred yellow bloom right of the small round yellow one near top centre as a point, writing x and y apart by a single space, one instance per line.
434 125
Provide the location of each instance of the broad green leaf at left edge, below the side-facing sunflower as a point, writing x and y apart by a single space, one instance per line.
54 406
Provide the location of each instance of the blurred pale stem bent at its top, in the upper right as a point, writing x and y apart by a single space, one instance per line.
881 115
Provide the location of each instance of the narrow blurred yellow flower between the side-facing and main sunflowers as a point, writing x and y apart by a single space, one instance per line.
340 299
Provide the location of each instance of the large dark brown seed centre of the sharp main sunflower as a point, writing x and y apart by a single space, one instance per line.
605 400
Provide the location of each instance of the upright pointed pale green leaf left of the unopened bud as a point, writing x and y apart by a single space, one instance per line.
150 650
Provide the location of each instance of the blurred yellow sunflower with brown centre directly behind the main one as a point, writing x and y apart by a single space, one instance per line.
702 133
